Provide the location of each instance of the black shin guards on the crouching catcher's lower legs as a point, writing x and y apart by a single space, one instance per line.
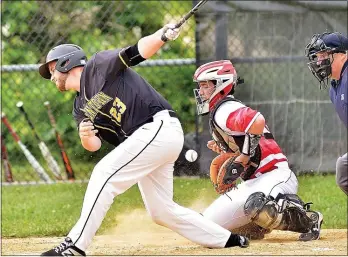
286 212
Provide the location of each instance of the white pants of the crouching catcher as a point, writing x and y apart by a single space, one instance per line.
228 209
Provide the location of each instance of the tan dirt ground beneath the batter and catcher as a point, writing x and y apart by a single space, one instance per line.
136 234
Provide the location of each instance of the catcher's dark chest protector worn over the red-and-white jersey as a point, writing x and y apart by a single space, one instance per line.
229 143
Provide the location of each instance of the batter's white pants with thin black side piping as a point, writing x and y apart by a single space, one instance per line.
147 157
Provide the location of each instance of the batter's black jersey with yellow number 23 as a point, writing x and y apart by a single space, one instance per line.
115 98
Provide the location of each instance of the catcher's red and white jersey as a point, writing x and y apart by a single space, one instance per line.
235 119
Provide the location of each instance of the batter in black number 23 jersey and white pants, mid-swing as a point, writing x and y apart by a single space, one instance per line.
116 104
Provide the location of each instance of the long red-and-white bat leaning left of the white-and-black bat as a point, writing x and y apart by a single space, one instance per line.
31 159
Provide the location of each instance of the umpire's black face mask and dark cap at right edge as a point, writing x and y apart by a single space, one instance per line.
326 45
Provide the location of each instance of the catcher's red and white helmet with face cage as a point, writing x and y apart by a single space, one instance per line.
223 75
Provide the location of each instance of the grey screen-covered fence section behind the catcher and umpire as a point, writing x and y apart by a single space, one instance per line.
265 40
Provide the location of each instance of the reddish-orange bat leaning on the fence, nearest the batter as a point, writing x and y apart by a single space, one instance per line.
68 169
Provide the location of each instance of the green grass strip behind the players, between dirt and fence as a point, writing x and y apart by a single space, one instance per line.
52 210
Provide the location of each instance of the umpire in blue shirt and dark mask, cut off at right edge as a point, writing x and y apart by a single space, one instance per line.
327 54
